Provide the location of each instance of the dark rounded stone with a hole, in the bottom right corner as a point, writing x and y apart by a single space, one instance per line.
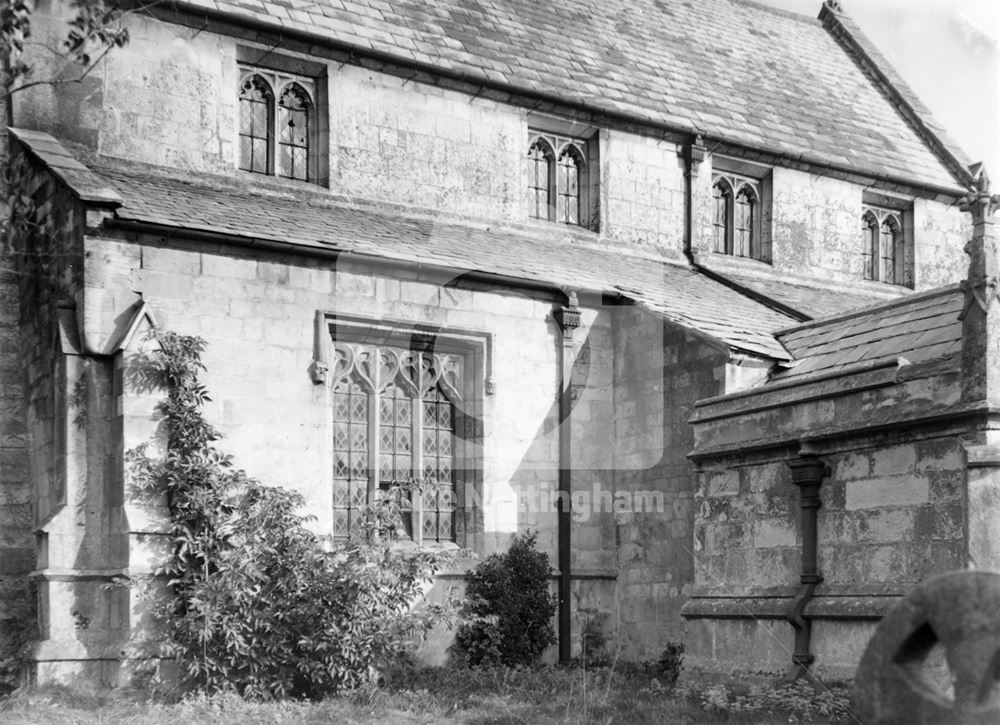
961 611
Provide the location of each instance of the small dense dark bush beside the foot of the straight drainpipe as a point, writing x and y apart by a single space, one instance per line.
508 609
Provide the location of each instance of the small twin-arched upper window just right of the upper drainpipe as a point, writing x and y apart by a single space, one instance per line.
736 225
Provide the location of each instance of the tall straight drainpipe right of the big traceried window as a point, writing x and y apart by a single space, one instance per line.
568 318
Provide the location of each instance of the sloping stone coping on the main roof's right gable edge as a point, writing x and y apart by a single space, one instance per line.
859 46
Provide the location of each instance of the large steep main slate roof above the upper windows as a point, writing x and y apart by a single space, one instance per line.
734 71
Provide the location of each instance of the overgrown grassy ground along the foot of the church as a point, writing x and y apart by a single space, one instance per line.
497 696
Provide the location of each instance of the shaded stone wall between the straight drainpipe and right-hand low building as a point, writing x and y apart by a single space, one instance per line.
662 370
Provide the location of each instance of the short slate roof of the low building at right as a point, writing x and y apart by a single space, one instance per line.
917 327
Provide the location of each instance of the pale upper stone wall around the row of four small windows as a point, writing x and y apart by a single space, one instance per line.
170 99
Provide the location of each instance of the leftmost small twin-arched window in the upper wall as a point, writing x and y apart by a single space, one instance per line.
277 124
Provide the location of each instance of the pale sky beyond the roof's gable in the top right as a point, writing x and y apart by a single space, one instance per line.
947 51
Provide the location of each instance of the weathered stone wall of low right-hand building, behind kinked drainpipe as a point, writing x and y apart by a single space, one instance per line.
892 509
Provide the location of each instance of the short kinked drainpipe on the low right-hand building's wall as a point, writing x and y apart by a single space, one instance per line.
808 472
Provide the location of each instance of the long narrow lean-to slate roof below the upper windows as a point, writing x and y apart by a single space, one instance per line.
315 221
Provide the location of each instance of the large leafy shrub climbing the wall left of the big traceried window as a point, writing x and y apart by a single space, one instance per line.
255 603
